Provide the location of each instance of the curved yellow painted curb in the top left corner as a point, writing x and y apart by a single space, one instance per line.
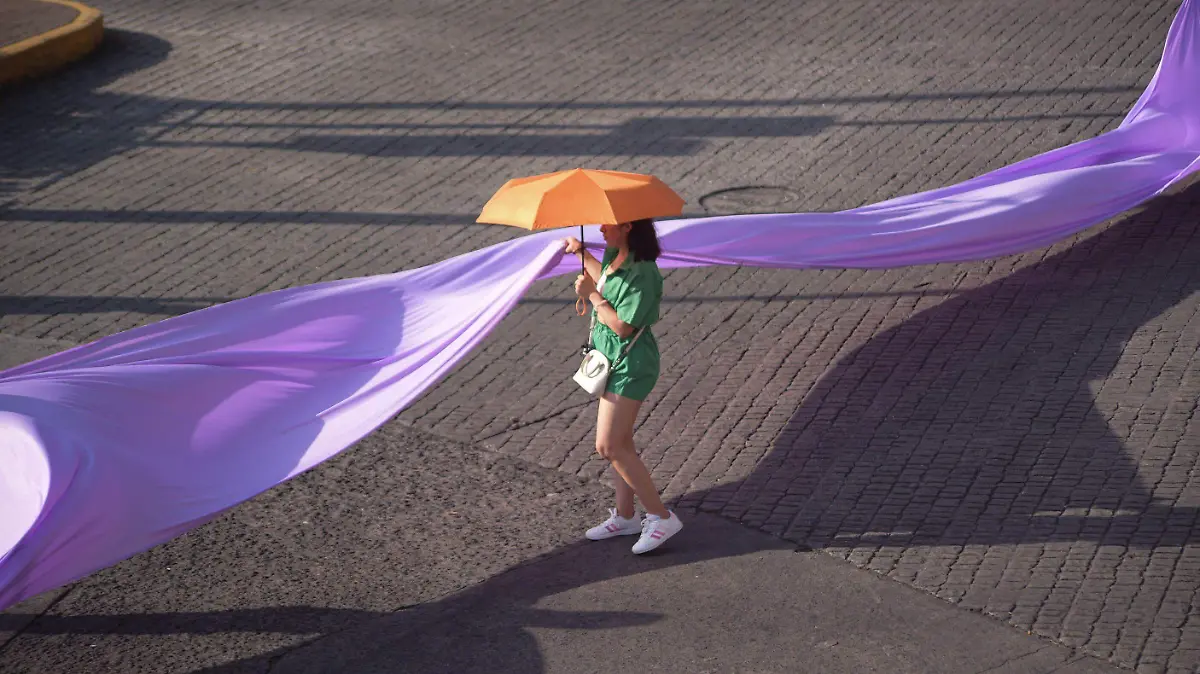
56 49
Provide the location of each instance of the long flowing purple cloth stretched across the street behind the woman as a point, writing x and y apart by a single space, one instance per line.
112 448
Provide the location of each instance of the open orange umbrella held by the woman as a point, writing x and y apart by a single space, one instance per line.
580 197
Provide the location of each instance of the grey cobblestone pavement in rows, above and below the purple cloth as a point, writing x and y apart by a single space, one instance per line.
1018 436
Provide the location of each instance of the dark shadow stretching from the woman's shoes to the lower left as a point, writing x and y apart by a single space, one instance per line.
394 639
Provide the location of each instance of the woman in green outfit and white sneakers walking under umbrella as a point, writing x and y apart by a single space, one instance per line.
626 290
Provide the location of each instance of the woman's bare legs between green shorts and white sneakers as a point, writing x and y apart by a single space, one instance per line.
615 442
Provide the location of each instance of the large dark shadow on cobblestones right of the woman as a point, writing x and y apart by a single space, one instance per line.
977 423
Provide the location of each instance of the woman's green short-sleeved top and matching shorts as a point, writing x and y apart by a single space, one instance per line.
635 292
